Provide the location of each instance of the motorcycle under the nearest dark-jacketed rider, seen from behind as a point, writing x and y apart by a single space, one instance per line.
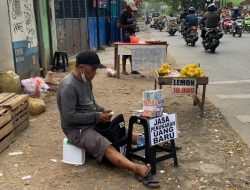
211 41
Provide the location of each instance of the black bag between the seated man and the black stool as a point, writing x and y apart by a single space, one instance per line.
114 131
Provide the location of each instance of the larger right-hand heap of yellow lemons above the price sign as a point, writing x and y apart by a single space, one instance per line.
191 70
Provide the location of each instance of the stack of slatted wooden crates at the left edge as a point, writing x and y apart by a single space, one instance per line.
14 117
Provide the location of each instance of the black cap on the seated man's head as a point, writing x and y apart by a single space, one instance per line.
89 58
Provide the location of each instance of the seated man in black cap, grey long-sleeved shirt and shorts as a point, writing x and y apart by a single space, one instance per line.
80 115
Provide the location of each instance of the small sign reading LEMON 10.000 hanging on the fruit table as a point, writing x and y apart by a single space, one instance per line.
183 86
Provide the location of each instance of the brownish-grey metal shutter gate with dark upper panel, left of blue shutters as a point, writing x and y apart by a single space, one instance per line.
71 25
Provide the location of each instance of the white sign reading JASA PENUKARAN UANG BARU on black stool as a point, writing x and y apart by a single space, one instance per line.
162 129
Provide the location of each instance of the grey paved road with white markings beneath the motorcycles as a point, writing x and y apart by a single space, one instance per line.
229 75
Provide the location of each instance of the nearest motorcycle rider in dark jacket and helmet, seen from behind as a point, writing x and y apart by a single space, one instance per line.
210 19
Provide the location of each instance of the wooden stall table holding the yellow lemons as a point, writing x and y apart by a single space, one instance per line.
200 81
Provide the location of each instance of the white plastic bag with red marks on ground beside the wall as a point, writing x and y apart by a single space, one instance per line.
34 86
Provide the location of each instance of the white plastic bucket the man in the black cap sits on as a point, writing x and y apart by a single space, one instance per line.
72 154
